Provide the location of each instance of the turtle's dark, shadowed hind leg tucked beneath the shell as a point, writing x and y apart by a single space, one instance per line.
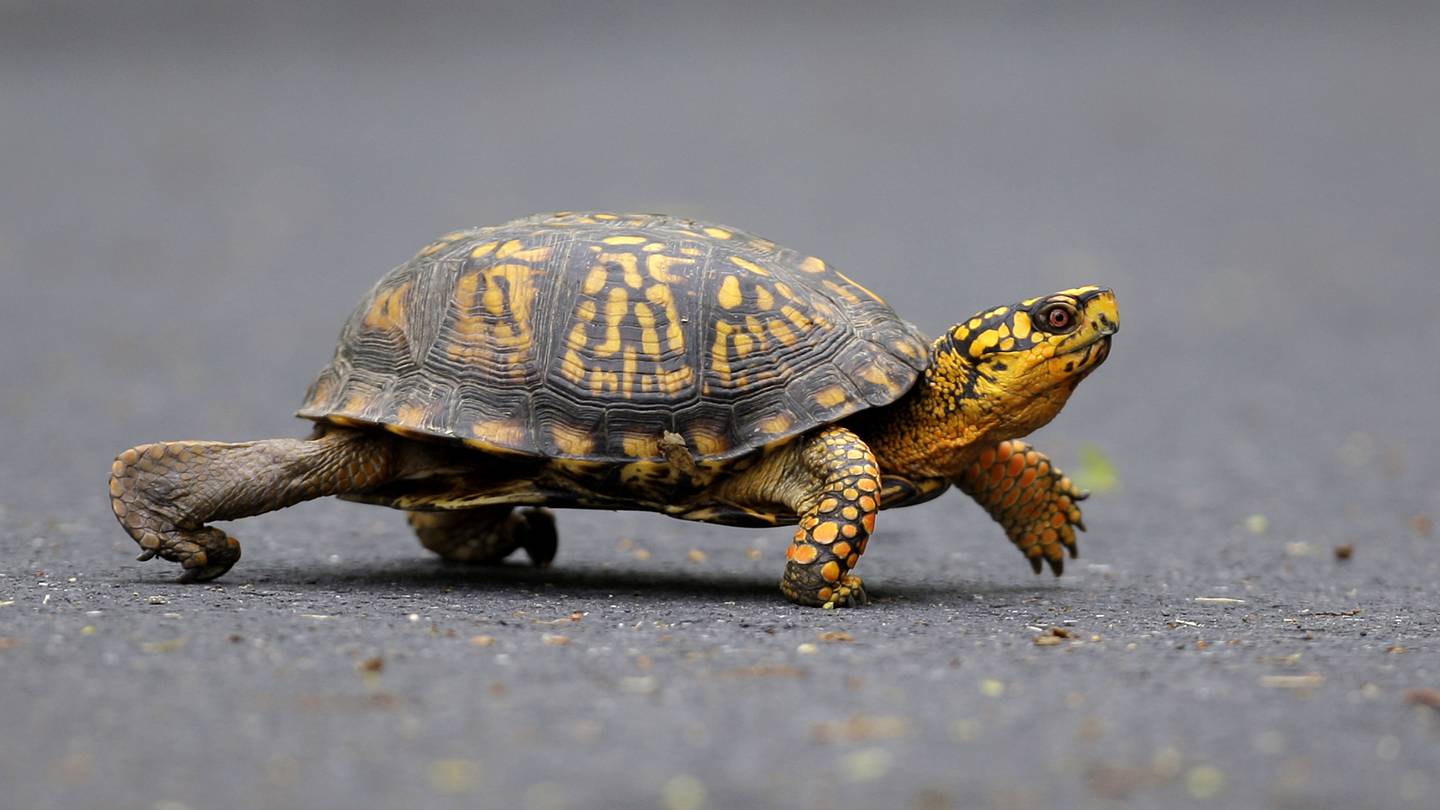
487 535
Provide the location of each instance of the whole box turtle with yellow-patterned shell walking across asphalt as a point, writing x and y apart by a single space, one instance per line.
649 362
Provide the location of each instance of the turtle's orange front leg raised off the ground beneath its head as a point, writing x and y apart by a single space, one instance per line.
1033 501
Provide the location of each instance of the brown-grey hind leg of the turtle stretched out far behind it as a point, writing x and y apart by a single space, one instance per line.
166 494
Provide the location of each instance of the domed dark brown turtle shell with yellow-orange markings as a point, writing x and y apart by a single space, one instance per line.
593 335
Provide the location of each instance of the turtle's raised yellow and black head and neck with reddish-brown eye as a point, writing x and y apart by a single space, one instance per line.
1009 371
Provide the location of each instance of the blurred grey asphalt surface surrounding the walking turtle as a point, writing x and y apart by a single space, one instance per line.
192 200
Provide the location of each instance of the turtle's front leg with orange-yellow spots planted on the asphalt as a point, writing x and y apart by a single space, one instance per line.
837 517
